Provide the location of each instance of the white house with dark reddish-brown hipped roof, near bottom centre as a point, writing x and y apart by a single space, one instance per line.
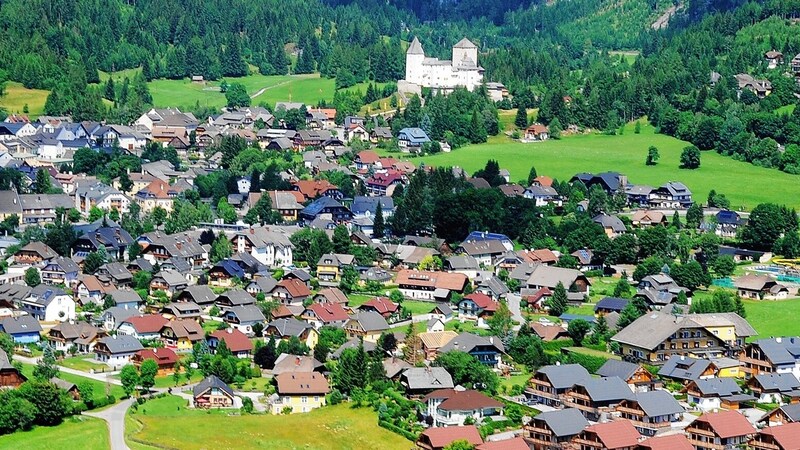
451 407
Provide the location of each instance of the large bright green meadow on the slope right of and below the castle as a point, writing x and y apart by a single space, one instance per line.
744 184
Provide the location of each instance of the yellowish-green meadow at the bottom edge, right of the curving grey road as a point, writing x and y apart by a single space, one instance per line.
334 427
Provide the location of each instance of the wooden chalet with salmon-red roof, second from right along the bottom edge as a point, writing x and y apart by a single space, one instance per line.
720 430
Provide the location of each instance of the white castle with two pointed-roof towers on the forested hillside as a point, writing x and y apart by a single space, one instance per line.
442 75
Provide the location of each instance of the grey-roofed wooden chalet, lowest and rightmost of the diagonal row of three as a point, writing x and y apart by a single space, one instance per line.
651 411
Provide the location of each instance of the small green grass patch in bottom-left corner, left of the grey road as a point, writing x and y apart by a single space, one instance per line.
75 432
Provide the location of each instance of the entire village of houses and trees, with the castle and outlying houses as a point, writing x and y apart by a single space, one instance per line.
325 269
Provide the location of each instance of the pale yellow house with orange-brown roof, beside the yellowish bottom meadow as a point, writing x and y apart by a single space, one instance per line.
299 392
